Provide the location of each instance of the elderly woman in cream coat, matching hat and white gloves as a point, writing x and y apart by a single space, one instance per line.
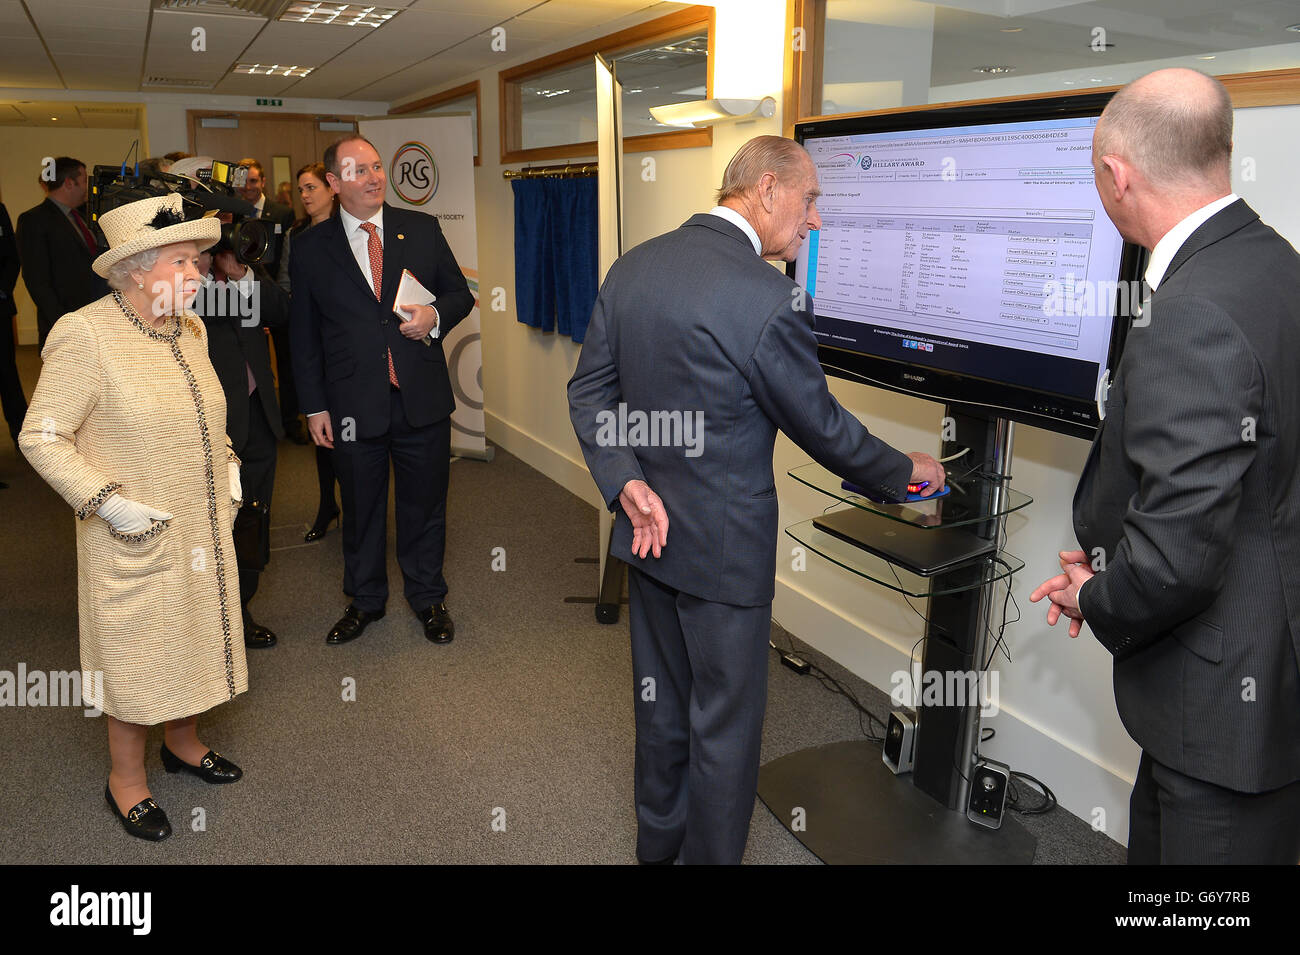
128 426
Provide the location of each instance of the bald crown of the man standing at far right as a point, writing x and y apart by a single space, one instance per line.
1175 128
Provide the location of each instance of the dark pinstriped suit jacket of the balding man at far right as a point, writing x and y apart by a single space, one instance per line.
1193 493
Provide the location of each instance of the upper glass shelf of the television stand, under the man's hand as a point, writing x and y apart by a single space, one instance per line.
974 500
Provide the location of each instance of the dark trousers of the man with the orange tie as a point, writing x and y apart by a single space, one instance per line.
422 462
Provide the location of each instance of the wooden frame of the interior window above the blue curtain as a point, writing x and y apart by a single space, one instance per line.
664 28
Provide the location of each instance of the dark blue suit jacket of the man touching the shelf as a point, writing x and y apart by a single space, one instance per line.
692 322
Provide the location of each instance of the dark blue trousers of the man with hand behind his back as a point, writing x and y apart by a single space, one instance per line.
700 723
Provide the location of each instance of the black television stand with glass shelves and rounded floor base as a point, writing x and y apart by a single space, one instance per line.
855 809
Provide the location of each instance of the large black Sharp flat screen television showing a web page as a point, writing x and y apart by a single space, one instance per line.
965 257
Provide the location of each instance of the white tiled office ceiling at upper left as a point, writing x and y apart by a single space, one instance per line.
133 46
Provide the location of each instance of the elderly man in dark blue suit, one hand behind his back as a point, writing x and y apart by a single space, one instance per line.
696 328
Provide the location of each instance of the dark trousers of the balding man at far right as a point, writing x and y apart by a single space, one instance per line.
1177 821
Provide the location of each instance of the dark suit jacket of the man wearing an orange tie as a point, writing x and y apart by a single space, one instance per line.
343 336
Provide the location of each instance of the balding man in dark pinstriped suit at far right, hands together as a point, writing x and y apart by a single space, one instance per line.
1189 509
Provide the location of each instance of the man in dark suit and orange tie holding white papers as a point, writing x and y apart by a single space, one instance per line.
375 385
